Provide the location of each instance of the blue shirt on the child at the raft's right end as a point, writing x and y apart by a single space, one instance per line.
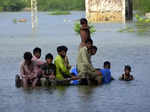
106 75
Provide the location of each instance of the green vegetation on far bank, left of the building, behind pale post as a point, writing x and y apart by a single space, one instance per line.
43 5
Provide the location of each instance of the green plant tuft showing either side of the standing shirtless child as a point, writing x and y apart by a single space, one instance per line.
77 28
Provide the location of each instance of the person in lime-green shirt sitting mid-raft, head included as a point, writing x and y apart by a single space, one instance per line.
62 71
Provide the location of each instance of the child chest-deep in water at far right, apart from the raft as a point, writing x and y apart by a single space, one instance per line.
127 76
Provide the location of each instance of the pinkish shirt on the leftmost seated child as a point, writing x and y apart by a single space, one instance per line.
30 70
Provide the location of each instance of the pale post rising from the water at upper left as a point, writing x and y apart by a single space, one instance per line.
34 15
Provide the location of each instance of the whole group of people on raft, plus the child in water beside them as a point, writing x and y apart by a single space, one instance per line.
33 69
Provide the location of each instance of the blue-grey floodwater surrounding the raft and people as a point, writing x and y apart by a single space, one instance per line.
118 48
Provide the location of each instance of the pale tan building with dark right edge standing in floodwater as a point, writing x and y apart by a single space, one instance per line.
108 10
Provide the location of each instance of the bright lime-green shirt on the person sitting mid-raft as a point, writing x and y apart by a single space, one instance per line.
61 70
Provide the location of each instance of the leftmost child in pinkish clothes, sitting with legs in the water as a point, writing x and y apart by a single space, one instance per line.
28 71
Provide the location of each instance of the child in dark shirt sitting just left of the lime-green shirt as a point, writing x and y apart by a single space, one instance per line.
48 68
